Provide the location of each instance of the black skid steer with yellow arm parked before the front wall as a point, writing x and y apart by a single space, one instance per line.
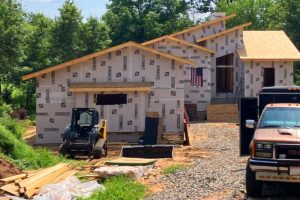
85 135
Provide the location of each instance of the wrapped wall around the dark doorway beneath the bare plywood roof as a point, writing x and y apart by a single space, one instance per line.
254 75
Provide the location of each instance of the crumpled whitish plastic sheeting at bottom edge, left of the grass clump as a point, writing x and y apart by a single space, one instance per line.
68 189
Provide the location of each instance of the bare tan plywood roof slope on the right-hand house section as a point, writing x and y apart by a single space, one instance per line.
268 46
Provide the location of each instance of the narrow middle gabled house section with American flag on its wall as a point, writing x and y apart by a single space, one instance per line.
197 80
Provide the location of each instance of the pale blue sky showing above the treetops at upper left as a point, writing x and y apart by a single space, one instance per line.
50 7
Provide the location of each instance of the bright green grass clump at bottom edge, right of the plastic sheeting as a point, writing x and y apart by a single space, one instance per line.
119 188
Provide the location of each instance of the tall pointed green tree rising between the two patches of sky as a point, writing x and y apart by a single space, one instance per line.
67 44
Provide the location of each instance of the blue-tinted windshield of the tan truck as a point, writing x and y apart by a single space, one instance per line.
280 117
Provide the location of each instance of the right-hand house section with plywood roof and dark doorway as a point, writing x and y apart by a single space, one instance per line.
266 59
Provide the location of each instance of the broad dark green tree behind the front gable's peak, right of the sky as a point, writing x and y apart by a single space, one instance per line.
141 20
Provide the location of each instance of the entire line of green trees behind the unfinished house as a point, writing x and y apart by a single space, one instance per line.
29 42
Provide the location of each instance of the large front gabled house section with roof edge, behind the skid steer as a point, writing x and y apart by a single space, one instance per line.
123 83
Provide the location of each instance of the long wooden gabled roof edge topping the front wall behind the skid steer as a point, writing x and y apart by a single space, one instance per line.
102 52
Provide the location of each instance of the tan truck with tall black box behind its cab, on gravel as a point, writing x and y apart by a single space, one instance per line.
270 136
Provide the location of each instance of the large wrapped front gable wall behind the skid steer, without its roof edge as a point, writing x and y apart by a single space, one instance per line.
54 102
